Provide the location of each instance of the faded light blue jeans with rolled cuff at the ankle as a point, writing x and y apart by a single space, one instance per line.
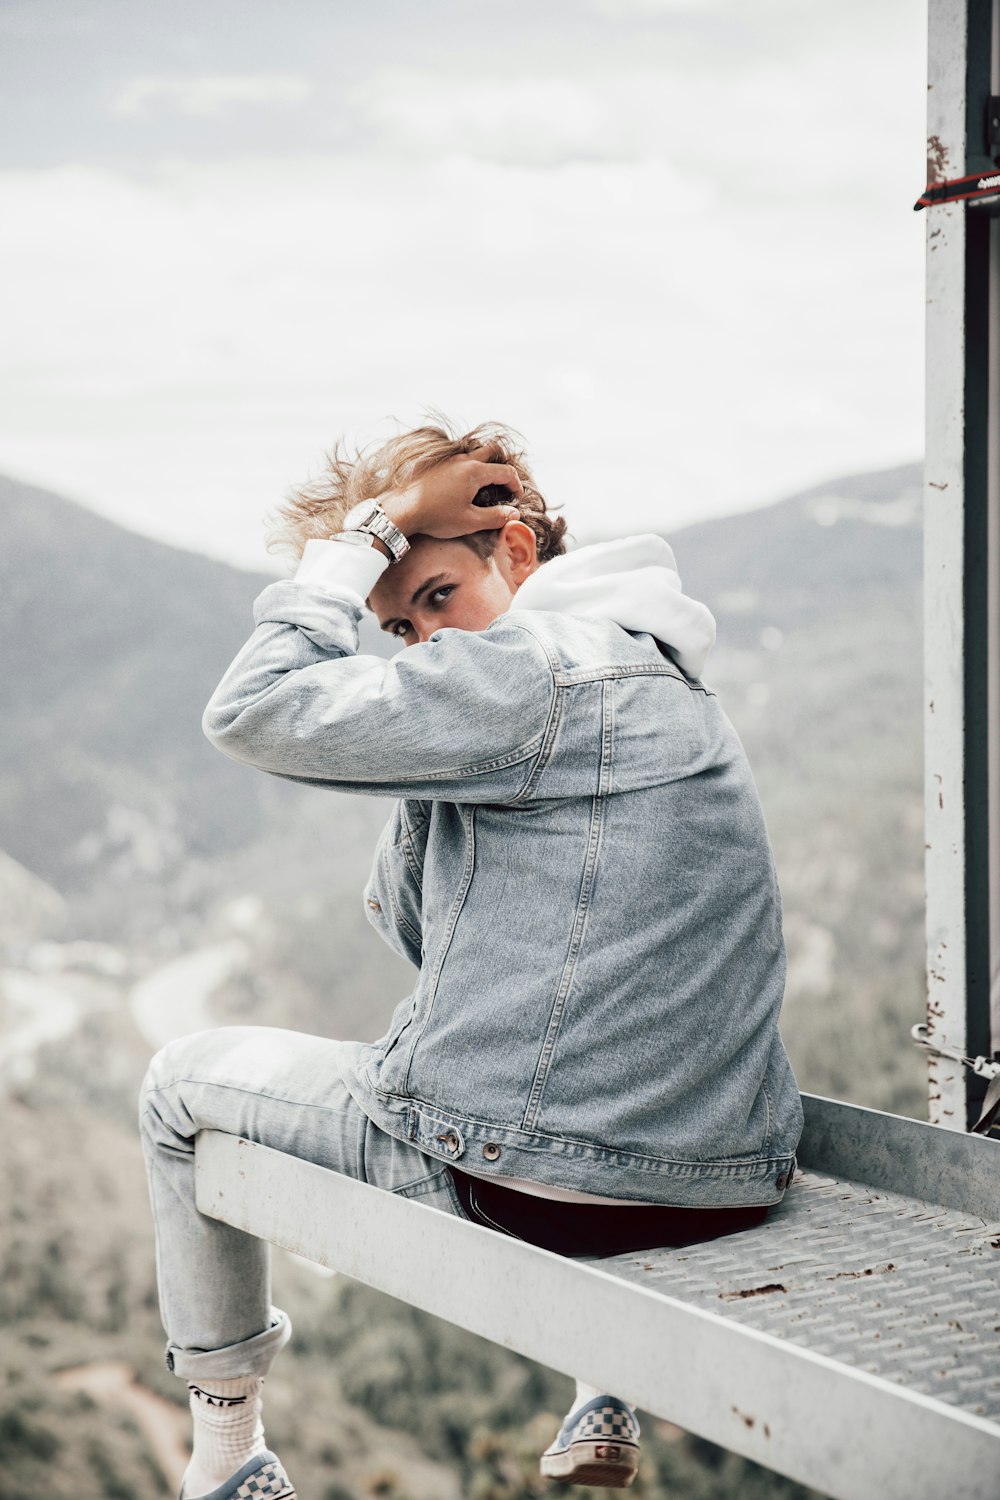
283 1090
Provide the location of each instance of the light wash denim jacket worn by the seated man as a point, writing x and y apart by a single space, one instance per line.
578 866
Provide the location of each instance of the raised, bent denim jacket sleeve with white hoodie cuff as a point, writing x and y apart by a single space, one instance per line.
460 718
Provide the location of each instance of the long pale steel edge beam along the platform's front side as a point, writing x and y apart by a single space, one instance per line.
852 1435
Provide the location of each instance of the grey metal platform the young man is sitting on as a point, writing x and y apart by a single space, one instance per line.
852 1342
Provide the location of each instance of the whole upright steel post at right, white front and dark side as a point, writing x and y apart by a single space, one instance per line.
959 566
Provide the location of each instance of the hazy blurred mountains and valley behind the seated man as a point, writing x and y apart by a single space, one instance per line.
149 886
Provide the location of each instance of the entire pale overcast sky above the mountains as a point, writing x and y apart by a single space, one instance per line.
671 241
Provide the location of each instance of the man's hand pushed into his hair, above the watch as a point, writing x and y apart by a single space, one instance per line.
440 503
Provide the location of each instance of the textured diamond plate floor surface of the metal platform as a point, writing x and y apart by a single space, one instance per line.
887 1283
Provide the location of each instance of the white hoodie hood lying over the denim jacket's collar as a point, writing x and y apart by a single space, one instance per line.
635 583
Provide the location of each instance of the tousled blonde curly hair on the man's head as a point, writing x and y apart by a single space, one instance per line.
319 508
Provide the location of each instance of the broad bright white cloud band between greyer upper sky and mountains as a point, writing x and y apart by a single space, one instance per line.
179 352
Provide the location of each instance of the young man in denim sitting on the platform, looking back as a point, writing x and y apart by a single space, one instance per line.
576 866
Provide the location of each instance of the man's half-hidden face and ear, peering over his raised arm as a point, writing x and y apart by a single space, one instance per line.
442 584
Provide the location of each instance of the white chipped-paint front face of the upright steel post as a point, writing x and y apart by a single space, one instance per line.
944 568
